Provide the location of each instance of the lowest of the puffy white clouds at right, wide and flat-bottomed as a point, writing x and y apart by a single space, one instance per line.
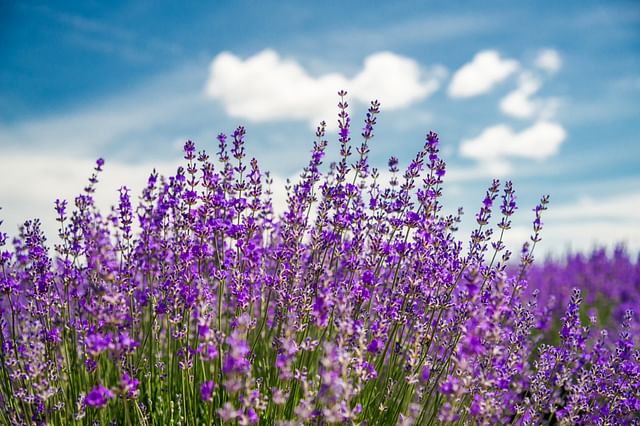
498 143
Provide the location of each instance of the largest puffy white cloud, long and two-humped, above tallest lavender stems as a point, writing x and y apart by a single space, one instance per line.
267 87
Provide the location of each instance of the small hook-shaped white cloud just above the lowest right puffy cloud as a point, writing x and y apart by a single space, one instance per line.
519 104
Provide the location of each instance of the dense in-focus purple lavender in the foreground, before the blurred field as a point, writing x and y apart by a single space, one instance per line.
357 305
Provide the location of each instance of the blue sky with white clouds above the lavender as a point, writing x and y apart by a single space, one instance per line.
546 94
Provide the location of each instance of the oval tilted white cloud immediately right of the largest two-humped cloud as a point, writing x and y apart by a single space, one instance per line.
479 76
